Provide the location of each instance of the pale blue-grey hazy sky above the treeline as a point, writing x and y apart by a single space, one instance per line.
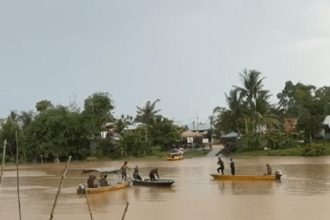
187 53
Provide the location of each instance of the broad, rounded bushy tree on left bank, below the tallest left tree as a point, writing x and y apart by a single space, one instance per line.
56 133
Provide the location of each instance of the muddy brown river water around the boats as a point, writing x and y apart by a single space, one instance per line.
303 193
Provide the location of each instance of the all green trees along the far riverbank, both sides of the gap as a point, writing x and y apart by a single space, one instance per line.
54 131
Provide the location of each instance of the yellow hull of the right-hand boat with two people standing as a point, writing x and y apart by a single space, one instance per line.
246 177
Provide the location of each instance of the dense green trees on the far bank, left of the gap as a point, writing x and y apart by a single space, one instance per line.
55 132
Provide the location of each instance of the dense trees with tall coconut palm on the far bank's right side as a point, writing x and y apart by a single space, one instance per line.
261 123
